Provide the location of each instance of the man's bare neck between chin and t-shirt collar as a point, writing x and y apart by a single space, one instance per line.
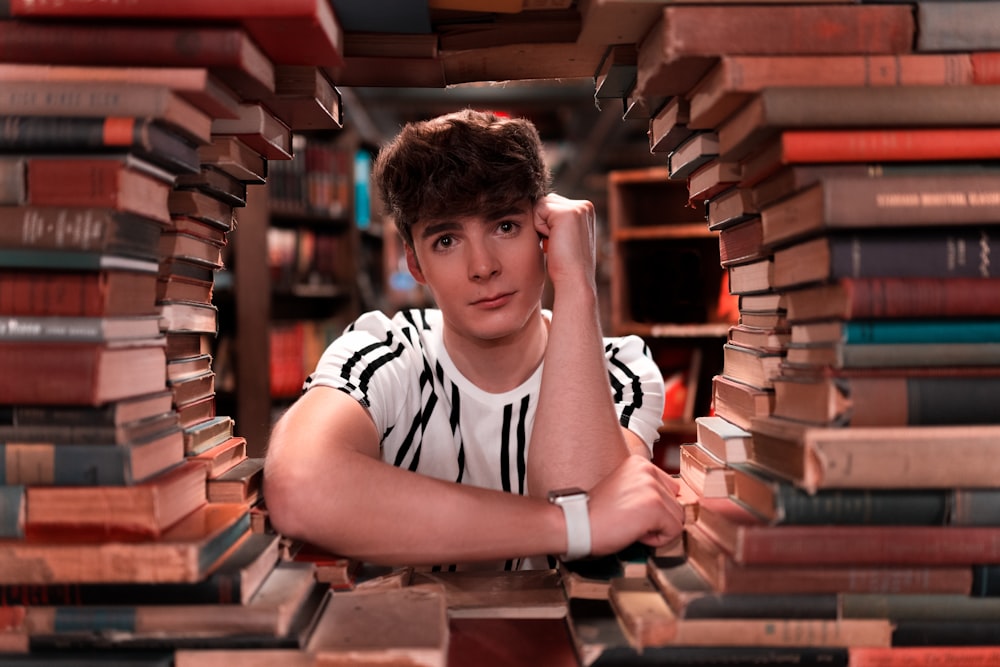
502 364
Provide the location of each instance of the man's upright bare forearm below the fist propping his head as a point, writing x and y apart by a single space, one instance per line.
576 439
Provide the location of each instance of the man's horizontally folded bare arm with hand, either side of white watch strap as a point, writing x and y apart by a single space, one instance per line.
325 483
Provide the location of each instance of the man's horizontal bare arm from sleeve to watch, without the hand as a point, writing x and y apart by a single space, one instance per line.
350 503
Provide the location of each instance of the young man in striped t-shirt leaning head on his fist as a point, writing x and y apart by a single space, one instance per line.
435 437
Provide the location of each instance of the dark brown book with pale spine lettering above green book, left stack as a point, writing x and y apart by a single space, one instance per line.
105 230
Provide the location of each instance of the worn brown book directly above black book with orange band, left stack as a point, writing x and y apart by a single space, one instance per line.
104 100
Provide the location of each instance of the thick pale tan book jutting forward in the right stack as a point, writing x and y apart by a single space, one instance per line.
898 457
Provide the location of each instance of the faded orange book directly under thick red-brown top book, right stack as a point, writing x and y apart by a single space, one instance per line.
736 78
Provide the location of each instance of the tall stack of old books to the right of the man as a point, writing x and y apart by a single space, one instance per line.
846 489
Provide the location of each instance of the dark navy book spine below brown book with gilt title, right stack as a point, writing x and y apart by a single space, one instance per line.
965 253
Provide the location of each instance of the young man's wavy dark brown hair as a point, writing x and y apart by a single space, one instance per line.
463 163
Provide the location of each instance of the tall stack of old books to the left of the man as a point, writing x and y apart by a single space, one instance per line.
131 516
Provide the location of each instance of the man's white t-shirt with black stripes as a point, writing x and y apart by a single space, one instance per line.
434 421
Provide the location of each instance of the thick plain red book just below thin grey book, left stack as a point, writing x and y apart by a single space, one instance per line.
64 373
